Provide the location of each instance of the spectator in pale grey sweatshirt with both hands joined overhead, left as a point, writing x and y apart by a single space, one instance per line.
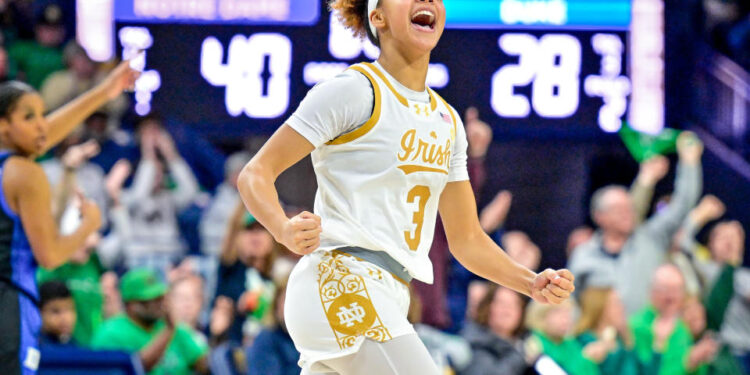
154 239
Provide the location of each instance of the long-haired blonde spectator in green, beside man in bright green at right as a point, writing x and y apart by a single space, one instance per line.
603 332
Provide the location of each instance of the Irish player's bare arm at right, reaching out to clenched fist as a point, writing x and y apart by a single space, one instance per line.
480 255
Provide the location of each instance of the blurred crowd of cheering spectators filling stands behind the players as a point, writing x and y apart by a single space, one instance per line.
183 280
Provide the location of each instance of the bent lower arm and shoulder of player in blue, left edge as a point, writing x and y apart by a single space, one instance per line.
28 193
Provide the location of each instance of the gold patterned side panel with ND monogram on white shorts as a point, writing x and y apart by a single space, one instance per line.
347 303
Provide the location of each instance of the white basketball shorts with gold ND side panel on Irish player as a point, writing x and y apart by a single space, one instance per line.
335 301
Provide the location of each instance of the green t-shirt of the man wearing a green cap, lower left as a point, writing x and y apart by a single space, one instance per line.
121 333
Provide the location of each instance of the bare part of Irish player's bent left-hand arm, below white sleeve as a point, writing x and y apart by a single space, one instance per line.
301 234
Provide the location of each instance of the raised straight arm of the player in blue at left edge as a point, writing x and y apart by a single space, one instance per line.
64 120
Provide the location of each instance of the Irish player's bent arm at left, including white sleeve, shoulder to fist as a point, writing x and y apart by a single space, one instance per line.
331 108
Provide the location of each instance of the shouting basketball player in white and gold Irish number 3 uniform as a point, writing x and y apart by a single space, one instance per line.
388 153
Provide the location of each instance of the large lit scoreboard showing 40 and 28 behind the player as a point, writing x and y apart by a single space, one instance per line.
231 68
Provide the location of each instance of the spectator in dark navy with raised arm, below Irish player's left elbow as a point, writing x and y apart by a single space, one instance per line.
245 276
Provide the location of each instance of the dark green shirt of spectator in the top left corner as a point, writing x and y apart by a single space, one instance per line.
37 62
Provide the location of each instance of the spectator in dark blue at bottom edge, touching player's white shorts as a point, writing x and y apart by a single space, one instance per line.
273 352
